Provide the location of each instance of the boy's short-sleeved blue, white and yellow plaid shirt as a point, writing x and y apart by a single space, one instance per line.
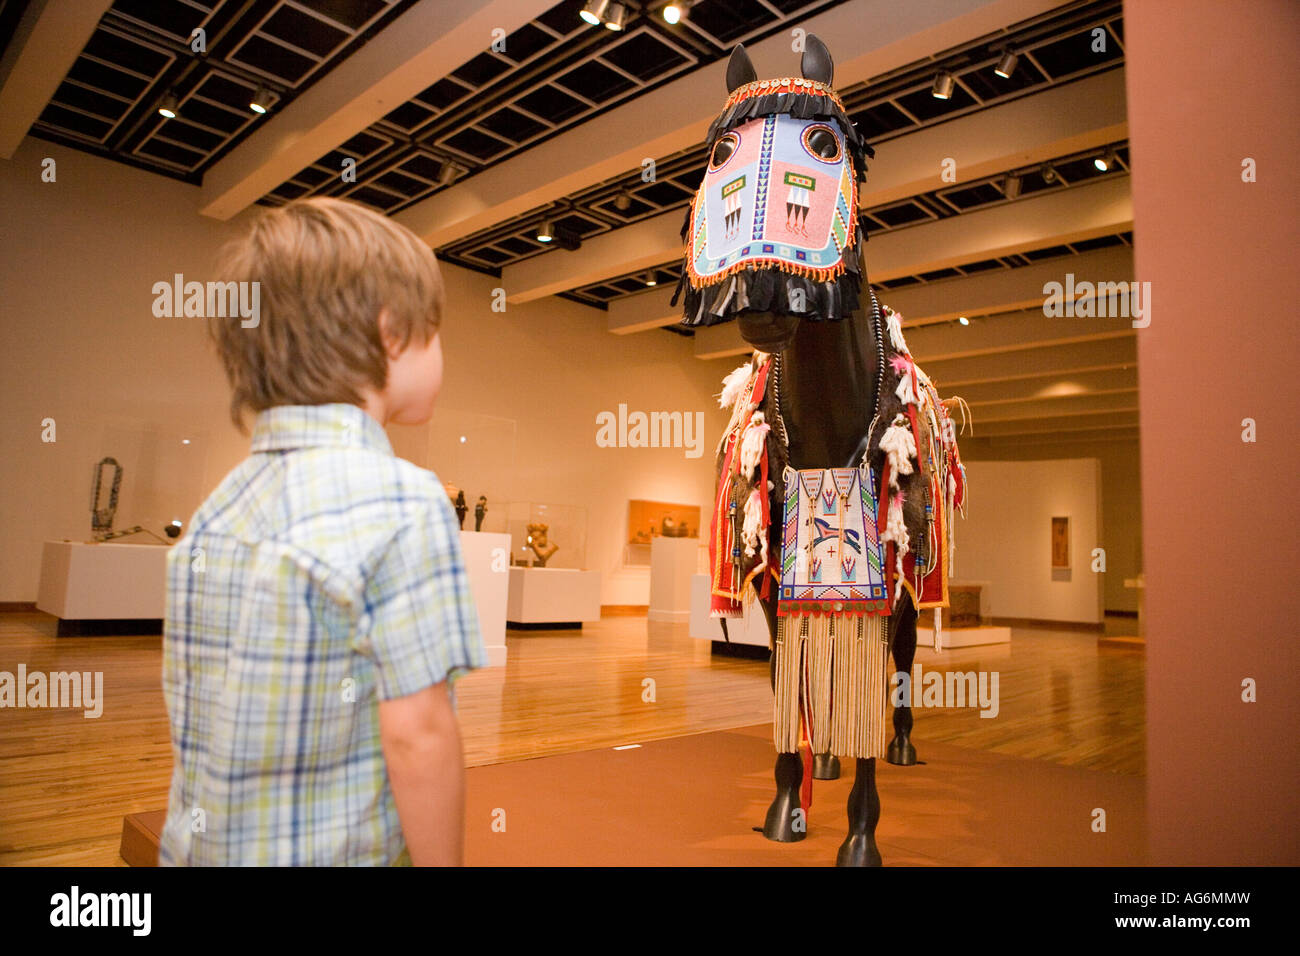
322 577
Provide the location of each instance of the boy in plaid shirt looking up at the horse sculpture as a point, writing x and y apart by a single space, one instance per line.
319 607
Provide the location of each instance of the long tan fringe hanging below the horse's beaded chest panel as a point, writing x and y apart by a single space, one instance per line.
835 668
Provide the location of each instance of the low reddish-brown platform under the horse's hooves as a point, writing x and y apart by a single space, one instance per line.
695 801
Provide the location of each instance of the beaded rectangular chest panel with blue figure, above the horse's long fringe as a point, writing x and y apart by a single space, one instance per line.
833 560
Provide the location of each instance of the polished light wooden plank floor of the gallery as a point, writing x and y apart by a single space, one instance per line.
67 781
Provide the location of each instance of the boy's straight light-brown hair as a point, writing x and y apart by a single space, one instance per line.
326 269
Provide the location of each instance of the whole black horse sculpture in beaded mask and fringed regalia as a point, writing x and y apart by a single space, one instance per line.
839 473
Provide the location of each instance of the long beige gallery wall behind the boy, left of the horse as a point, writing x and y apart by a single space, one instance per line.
80 345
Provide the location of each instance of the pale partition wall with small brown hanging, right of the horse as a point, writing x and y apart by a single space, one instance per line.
1007 538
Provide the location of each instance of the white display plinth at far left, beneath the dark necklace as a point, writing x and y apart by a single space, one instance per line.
103 582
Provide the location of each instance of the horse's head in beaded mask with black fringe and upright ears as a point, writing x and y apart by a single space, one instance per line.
774 226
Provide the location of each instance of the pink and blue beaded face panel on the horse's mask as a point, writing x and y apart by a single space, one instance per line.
774 200
